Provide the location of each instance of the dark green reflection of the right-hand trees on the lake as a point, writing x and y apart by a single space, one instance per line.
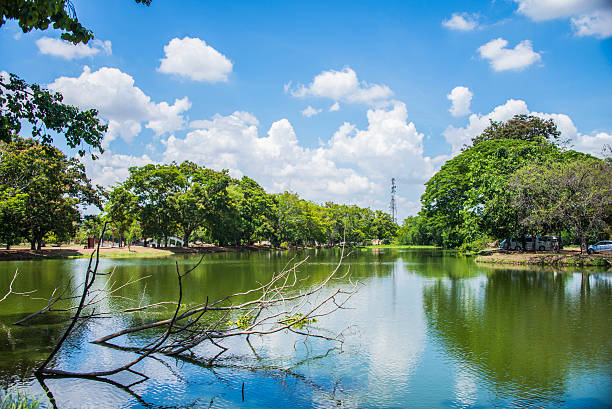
523 332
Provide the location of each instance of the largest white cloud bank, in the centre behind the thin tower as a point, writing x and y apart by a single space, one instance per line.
353 166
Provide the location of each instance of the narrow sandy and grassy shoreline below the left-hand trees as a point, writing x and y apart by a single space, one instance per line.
69 252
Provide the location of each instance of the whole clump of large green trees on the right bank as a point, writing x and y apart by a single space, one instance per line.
515 179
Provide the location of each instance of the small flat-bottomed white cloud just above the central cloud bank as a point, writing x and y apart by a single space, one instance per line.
342 86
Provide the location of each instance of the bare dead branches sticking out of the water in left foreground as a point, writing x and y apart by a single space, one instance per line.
275 306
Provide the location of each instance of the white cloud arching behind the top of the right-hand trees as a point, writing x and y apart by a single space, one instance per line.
459 137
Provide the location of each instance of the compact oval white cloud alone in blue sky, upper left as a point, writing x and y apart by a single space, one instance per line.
194 59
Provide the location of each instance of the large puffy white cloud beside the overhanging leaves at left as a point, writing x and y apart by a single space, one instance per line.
124 105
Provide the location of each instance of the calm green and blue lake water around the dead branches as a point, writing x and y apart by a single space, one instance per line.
425 330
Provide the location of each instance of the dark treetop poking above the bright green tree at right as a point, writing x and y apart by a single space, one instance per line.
522 127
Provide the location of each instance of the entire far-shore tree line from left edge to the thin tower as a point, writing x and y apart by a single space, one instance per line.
42 194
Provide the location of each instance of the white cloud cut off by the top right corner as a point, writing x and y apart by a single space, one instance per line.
588 17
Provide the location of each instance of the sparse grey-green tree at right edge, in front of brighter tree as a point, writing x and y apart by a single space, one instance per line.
575 194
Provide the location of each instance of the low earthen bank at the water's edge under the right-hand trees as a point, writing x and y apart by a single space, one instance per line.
564 258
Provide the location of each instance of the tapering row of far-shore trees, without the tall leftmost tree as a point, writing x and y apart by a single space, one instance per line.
188 200
